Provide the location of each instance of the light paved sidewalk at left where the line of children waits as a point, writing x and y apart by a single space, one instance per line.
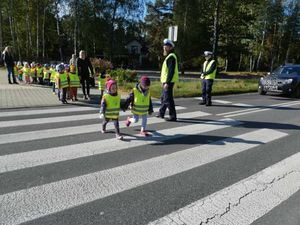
20 95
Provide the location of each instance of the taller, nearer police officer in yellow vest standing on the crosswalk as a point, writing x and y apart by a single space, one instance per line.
169 75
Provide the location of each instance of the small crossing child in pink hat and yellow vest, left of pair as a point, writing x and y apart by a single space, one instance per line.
110 107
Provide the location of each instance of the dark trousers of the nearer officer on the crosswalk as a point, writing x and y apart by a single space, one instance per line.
167 101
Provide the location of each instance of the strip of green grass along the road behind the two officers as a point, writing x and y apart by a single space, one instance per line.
193 88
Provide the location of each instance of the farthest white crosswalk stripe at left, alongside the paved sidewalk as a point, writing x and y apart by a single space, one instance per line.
45 111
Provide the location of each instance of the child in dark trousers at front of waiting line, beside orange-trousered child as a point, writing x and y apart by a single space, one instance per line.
62 81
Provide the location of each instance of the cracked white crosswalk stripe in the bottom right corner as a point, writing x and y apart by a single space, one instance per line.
252 198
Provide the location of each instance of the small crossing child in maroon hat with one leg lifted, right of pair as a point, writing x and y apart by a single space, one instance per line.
141 105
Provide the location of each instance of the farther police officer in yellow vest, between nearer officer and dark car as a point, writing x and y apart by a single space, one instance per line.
208 75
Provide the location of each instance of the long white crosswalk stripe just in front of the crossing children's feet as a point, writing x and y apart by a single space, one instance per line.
46 156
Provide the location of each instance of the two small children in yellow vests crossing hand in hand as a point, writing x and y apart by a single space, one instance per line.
139 100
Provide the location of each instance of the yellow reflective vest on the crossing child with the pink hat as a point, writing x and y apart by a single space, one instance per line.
112 106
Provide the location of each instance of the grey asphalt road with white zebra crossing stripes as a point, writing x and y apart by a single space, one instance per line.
236 162
